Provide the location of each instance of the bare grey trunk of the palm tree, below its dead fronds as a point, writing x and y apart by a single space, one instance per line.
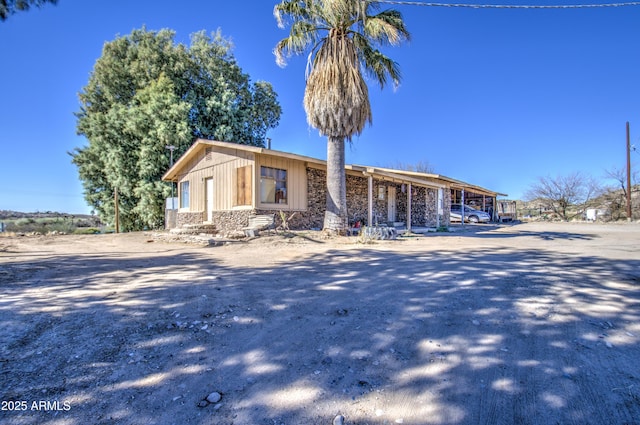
335 217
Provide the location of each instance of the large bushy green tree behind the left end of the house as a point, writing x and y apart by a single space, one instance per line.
145 93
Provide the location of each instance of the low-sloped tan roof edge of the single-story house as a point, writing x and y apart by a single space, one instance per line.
414 177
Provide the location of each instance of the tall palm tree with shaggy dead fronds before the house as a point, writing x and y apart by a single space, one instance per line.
342 36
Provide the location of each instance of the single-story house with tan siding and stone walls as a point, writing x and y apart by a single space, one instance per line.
223 184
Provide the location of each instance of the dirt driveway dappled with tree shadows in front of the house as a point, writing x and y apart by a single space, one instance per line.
524 324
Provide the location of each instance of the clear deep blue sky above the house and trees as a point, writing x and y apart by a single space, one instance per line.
495 97
